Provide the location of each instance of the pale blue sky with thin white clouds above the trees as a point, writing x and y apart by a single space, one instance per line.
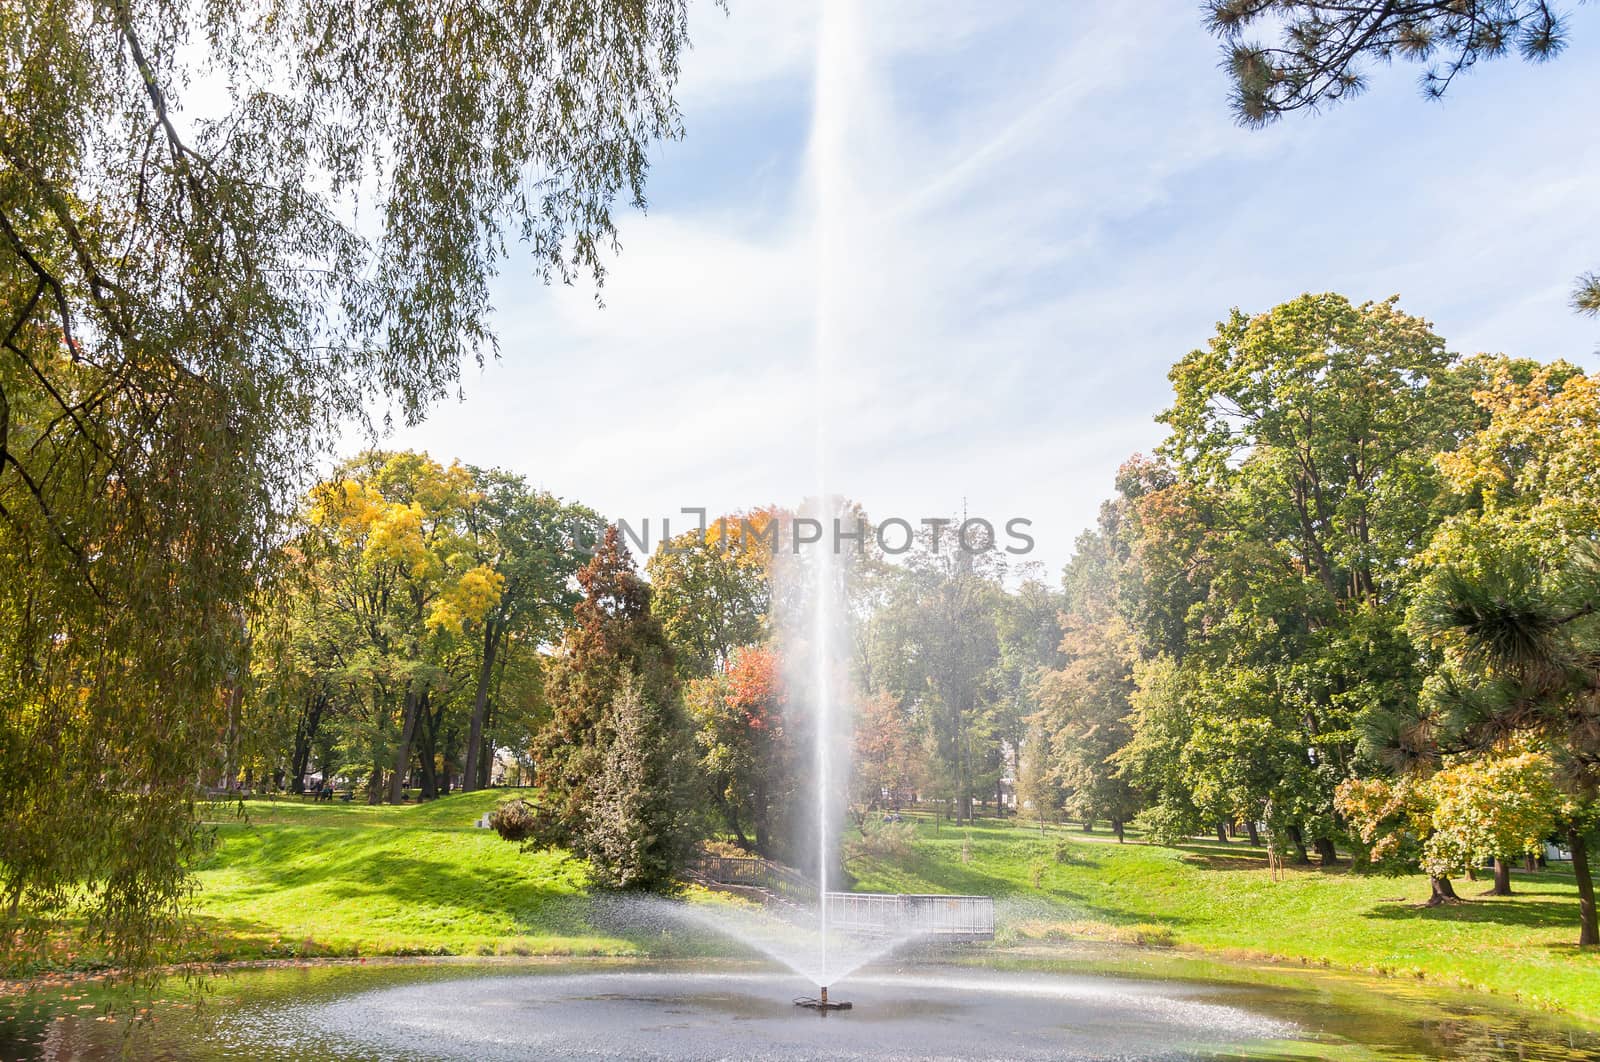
1018 218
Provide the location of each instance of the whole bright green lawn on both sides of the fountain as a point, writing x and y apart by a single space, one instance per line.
308 880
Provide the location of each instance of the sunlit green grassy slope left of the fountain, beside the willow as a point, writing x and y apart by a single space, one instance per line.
335 879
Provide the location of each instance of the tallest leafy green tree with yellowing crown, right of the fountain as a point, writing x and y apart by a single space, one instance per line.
1305 442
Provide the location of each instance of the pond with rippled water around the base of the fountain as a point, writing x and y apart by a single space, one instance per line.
1124 1004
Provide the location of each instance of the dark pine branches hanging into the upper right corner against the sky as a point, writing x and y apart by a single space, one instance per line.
1326 47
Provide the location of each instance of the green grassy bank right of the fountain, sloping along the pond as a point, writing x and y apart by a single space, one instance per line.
1225 900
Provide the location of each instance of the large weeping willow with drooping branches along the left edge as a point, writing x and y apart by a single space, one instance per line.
226 231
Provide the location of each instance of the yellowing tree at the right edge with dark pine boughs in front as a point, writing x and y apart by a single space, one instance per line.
1511 601
